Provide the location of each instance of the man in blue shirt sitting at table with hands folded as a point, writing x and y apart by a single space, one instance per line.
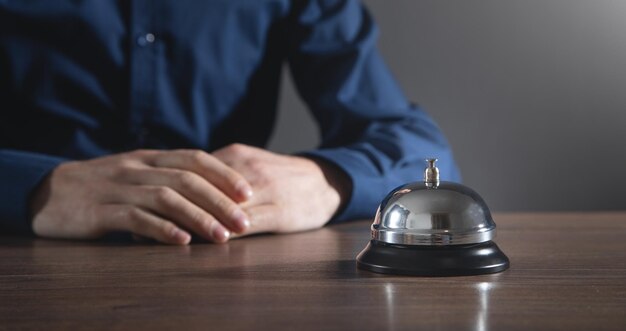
147 117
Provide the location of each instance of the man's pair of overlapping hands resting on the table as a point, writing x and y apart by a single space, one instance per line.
168 195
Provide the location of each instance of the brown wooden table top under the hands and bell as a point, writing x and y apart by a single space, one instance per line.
568 272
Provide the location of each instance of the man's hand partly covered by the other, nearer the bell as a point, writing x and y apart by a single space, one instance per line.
290 193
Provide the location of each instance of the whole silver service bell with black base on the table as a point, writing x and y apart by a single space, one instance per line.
433 228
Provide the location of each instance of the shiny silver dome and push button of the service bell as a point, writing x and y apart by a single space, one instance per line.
433 213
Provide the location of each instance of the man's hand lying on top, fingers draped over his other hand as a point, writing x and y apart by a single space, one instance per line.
163 195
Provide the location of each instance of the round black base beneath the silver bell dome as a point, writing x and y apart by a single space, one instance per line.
413 260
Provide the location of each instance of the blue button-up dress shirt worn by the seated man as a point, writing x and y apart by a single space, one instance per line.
85 78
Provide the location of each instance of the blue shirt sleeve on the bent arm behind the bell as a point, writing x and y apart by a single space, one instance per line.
369 129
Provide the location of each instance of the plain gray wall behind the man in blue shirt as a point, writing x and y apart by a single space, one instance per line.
530 94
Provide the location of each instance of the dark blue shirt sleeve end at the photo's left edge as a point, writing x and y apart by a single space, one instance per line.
20 174
